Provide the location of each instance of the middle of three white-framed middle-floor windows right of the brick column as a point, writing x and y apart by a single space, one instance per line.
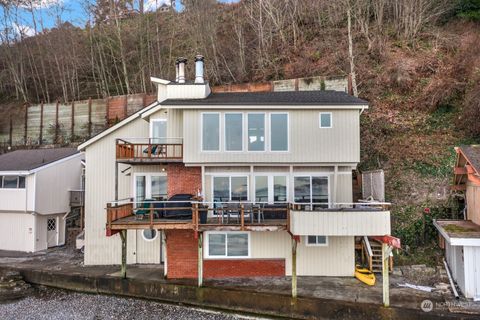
271 189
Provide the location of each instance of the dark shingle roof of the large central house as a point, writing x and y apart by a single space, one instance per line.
318 97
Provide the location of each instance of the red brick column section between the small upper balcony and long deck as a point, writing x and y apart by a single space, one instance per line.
183 179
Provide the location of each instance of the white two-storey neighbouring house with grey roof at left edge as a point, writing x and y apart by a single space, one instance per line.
34 196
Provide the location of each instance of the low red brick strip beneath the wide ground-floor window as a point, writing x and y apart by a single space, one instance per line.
230 268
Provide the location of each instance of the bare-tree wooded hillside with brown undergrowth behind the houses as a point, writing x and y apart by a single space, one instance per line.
417 62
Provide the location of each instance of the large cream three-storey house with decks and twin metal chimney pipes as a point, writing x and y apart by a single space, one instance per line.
286 156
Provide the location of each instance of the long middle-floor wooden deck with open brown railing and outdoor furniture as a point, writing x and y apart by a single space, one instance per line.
198 216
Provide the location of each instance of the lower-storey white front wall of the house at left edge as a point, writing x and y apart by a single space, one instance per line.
17 231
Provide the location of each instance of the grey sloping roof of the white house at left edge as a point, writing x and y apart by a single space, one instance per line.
26 160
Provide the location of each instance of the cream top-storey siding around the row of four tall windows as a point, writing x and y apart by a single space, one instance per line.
308 142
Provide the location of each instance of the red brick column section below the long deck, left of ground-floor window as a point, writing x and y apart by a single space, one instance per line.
182 254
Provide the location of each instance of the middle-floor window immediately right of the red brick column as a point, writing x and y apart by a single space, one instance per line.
230 189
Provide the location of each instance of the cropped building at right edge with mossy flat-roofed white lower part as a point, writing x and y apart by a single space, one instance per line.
461 238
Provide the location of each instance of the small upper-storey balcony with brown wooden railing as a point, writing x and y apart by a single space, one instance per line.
149 150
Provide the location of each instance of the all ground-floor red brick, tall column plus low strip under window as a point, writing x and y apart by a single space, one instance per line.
182 261
